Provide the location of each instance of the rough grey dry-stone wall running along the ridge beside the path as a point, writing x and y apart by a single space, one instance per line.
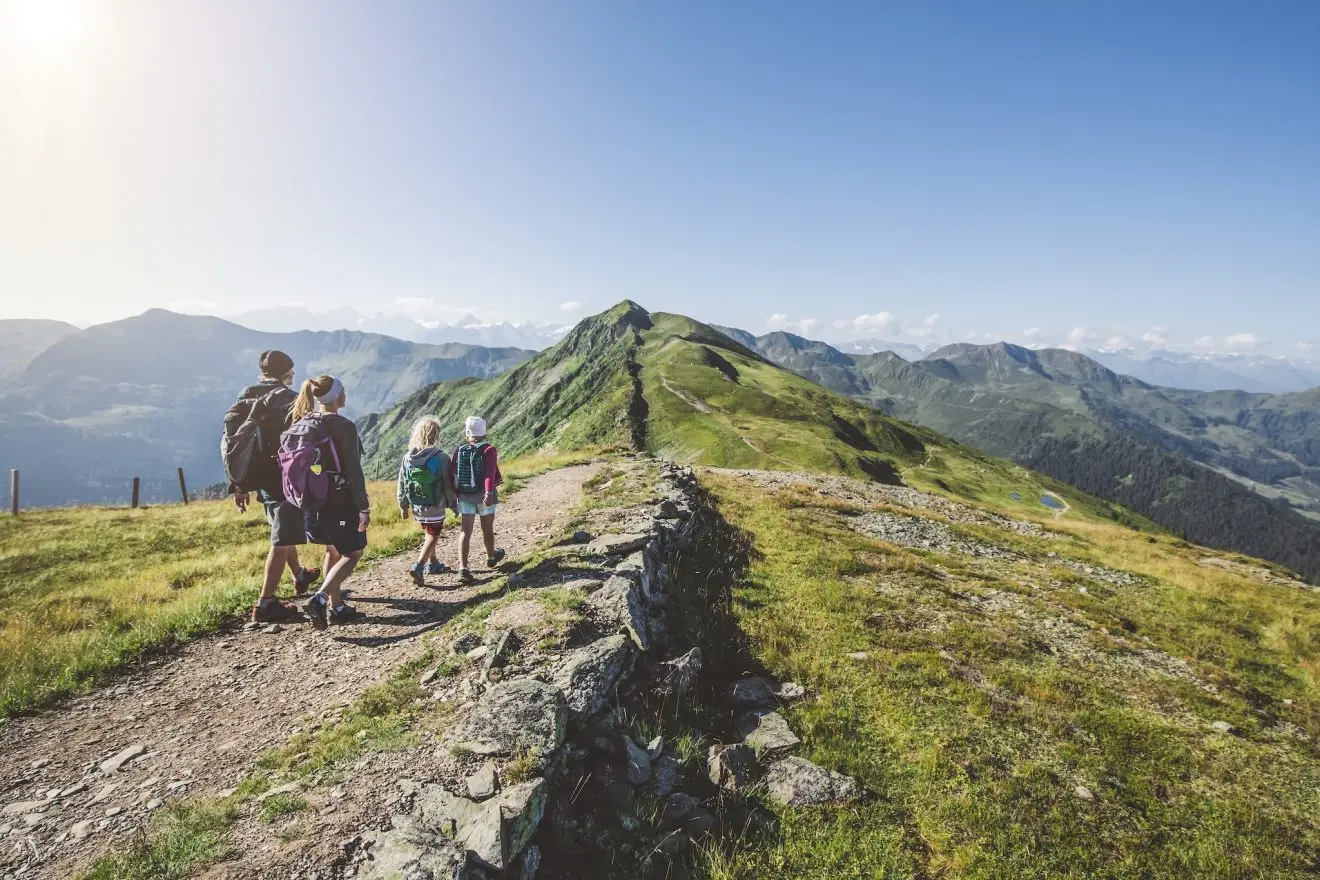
526 718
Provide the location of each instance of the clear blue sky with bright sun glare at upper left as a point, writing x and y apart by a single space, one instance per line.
1104 171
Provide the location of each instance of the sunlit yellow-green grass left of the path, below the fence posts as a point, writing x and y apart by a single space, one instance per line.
86 590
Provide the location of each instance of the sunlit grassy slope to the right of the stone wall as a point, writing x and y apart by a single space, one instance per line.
975 765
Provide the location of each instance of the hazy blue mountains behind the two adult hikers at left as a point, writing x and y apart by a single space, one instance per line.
143 396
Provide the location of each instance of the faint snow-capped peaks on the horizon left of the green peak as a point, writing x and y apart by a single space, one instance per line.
468 330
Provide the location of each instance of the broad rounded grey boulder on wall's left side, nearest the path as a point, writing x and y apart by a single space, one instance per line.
522 717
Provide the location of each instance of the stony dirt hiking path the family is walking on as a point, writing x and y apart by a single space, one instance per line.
88 774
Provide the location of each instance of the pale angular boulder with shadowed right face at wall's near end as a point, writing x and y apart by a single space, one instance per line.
493 832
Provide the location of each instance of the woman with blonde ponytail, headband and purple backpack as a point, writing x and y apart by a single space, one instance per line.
321 461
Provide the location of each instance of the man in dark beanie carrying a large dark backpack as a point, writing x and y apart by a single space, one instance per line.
250 447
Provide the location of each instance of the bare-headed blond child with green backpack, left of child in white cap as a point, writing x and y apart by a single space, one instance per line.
427 491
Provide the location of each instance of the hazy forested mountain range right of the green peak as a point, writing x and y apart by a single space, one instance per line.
1226 469
